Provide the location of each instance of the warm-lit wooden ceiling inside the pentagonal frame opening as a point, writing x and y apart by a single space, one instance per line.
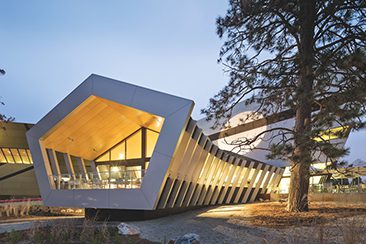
95 126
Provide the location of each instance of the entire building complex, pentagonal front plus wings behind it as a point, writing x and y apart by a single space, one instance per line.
115 148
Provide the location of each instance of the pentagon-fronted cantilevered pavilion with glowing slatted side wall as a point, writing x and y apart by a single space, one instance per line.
112 146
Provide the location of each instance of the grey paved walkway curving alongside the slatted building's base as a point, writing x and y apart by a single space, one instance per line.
212 227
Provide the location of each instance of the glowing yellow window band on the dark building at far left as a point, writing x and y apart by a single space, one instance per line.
15 155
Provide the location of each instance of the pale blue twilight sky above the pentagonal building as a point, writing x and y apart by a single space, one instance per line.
49 47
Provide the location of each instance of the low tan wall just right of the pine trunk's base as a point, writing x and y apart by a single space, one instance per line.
338 197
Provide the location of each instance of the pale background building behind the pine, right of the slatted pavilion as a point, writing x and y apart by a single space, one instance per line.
324 178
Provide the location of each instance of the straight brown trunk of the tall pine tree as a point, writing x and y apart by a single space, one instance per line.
301 159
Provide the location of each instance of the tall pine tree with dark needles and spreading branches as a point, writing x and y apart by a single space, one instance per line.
304 56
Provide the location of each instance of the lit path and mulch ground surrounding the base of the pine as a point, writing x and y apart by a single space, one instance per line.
263 223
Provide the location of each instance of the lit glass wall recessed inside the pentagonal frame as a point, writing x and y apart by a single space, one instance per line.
122 166
